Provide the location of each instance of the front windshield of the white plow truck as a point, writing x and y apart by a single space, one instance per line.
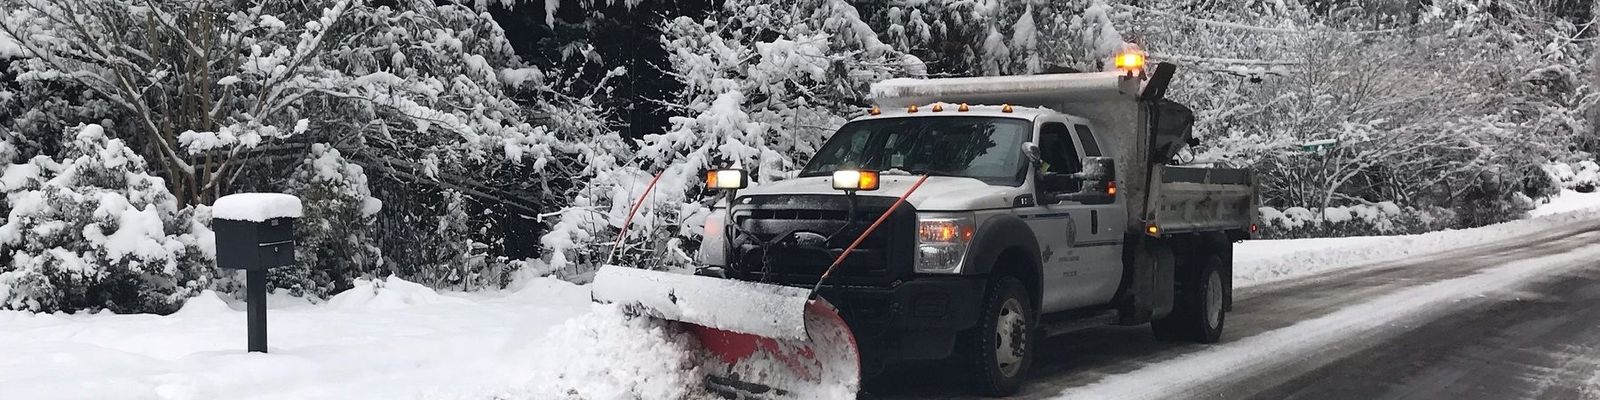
985 148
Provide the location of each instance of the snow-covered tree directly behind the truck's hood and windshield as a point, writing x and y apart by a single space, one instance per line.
764 86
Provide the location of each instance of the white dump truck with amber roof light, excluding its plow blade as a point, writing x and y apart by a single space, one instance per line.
1118 252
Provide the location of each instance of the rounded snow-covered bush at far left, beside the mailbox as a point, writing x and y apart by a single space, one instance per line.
97 231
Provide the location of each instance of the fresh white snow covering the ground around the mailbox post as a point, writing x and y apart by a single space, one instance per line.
382 340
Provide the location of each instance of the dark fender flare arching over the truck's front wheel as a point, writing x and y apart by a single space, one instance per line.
998 236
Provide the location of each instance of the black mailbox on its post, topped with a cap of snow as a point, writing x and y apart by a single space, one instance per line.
255 233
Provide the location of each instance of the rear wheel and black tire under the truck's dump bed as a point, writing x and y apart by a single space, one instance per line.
1199 311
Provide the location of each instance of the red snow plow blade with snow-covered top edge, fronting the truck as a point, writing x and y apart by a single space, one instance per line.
766 342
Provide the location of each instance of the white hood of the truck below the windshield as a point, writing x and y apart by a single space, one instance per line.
938 194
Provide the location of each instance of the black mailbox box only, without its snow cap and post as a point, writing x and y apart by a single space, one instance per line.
255 246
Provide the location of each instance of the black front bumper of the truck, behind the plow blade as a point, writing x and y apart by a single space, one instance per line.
913 321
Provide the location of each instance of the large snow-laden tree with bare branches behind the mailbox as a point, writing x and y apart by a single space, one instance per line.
226 97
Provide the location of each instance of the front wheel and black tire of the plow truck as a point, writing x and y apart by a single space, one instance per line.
1006 300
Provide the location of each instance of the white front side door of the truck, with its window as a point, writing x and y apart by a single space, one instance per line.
1081 246
